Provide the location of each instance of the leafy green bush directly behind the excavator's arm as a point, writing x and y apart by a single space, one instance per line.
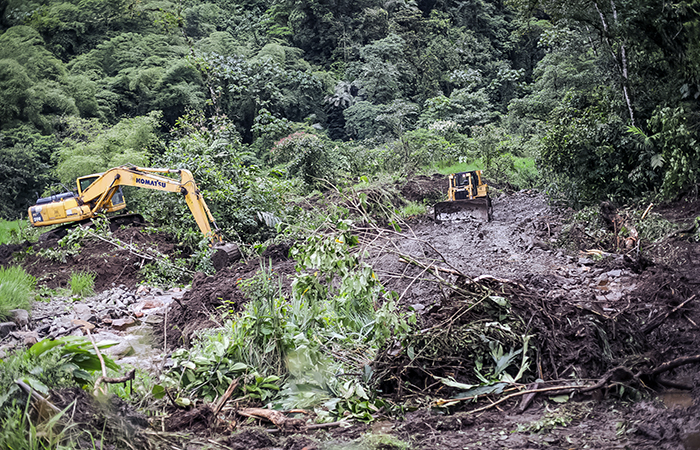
234 192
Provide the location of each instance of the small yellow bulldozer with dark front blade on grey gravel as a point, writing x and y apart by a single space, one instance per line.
467 199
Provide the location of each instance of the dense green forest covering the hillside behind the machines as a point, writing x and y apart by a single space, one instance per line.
263 97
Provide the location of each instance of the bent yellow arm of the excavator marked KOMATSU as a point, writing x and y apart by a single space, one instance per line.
100 192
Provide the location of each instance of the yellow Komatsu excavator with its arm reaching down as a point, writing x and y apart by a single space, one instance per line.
101 193
